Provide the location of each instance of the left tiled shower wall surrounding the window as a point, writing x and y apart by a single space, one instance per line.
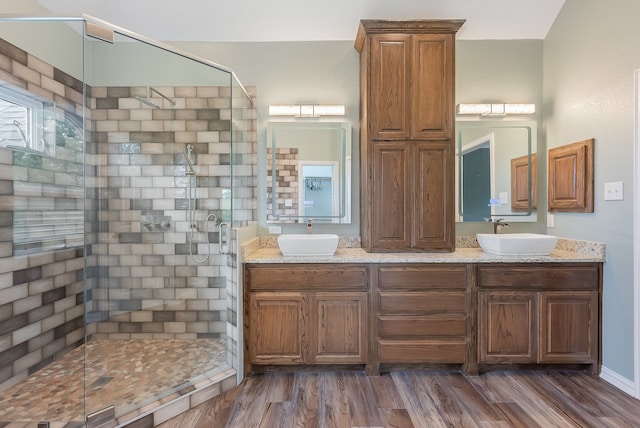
41 294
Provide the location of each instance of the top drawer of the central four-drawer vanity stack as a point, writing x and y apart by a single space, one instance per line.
422 277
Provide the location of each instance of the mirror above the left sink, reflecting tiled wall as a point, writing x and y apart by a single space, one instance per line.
309 172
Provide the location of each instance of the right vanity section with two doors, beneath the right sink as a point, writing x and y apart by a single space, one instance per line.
540 314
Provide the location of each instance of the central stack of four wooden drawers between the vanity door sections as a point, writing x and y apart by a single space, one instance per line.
422 314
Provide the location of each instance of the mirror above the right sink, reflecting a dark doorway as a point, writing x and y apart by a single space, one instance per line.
496 170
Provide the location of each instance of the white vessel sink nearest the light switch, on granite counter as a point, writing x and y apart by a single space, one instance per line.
517 244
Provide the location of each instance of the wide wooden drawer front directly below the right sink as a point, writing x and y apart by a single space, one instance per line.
583 276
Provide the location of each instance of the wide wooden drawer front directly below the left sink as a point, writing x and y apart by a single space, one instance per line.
308 277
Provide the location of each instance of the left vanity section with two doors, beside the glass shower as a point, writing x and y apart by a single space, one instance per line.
305 314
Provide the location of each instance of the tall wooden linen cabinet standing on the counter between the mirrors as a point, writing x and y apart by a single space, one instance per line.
407 142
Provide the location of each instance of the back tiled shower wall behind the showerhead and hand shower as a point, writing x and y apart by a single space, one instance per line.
154 288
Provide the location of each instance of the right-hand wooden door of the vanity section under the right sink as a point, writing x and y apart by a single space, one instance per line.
568 326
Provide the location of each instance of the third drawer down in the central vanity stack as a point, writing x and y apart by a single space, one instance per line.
417 326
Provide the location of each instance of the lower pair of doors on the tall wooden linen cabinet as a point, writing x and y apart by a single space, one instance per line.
412 196
